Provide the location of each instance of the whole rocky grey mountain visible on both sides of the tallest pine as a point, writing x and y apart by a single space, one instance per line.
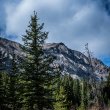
71 61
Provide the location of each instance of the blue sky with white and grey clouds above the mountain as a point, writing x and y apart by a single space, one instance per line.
73 22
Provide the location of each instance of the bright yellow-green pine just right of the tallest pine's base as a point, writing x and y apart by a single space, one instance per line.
62 94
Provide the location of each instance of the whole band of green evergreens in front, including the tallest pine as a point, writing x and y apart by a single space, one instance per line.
36 83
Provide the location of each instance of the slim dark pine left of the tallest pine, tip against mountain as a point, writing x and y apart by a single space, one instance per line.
12 85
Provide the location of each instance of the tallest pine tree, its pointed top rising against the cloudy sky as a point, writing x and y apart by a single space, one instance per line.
38 68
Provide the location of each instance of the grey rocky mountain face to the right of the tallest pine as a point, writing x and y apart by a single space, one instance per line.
75 63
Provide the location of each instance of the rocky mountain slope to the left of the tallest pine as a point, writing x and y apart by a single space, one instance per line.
7 48
